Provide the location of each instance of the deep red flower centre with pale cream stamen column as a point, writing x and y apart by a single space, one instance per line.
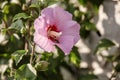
53 33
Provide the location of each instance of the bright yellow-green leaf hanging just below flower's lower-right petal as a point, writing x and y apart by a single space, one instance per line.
74 57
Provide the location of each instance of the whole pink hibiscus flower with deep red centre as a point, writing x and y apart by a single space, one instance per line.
56 27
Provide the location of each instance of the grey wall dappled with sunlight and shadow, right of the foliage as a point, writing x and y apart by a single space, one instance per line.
108 23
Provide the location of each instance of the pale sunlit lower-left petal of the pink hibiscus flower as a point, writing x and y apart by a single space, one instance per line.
43 42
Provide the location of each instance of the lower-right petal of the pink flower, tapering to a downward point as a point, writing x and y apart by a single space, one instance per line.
66 43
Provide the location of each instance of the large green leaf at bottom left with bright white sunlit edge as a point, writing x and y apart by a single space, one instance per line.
26 72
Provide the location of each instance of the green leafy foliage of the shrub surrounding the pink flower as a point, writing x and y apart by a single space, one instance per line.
28 64
